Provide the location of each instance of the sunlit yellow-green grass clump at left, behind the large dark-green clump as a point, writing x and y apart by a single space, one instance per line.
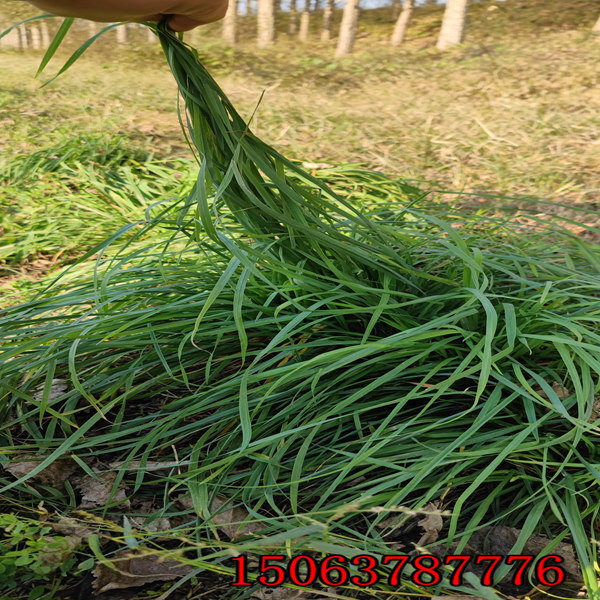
72 195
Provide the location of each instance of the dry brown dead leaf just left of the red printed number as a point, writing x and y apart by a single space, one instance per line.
134 570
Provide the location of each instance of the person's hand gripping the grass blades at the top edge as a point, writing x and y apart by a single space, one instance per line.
184 14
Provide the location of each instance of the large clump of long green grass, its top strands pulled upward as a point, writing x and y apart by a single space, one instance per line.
319 361
